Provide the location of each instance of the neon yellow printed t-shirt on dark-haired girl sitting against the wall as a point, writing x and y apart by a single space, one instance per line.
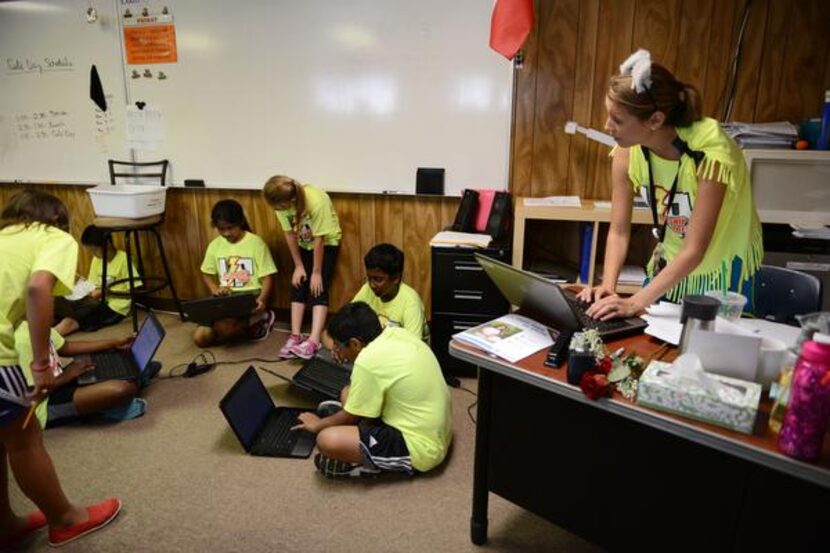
240 266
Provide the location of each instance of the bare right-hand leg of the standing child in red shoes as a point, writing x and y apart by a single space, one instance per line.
35 473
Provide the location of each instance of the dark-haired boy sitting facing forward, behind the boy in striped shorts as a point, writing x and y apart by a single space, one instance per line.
395 302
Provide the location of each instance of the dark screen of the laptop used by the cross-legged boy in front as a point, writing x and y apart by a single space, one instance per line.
246 407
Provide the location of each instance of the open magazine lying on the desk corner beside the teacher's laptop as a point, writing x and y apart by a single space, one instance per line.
511 337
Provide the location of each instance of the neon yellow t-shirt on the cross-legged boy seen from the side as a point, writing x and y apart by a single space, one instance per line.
396 378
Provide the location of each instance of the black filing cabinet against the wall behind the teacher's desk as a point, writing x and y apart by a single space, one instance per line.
463 296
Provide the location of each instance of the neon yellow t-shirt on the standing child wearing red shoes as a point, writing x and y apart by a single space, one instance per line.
26 250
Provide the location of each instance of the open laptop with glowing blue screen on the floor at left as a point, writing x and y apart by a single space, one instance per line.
131 364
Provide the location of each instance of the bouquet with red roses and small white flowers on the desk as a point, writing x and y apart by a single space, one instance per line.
590 367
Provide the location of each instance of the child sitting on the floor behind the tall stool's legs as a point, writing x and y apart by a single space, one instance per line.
90 314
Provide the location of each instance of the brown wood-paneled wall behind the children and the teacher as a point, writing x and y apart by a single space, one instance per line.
575 46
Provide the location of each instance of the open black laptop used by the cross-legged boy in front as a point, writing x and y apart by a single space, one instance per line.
262 428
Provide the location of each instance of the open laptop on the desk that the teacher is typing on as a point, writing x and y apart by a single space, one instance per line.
549 304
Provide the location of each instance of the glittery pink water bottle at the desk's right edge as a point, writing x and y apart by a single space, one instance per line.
808 413
